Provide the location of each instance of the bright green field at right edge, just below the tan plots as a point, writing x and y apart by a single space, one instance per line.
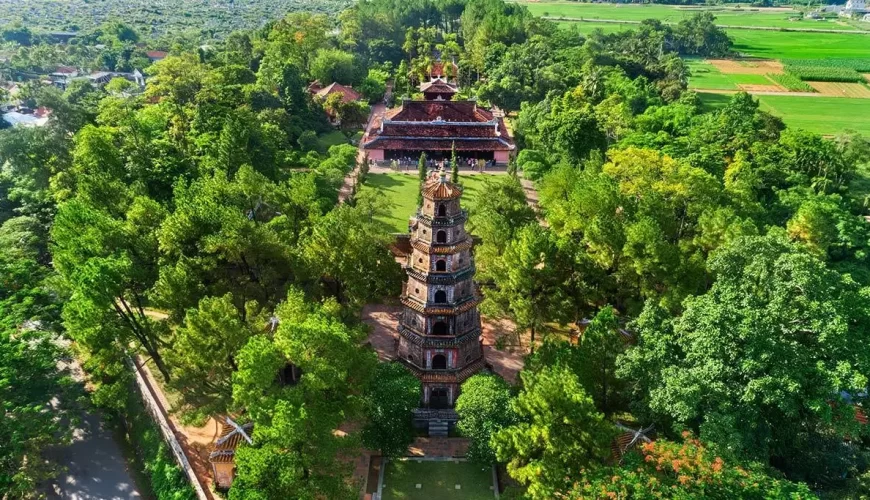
823 115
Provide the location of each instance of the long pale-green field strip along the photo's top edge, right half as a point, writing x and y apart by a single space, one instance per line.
727 16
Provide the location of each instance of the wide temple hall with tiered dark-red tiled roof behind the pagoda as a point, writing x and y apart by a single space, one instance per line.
437 124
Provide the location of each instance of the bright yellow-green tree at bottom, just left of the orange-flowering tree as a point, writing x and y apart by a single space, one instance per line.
559 433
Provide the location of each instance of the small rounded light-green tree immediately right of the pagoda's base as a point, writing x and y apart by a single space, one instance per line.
484 408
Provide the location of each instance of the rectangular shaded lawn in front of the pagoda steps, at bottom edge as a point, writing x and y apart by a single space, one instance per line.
437 480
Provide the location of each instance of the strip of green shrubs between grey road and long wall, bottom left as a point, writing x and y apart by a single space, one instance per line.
168 481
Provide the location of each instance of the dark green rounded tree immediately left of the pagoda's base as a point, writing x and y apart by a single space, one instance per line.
390 397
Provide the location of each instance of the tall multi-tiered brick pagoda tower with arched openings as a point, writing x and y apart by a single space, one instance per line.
439 329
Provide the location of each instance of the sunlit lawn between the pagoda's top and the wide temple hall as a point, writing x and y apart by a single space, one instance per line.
401 189
